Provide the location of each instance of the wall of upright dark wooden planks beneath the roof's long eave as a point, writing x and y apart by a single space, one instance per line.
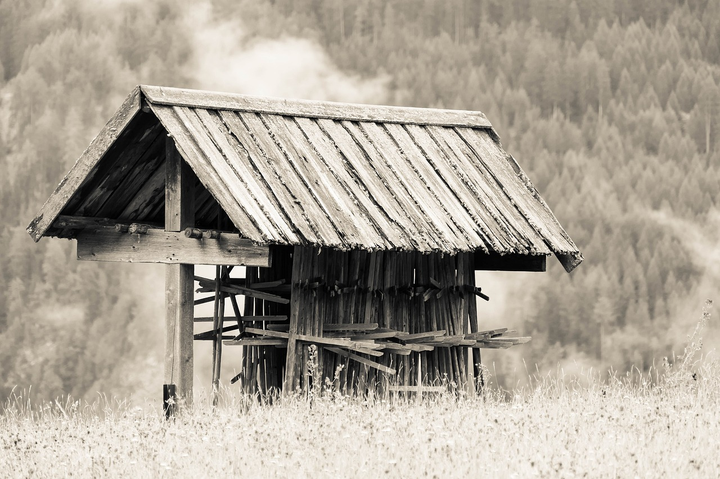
330 287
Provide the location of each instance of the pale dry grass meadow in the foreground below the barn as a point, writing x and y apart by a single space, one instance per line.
666 425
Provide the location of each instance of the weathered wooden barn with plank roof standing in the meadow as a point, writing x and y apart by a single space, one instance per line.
360 229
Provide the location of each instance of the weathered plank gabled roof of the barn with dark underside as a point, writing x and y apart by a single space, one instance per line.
328 174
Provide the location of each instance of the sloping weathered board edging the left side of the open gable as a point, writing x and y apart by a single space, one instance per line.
84 165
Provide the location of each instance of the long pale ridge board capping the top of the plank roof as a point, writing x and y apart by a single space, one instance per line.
313 109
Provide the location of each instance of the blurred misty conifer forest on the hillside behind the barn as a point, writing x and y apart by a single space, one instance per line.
612 109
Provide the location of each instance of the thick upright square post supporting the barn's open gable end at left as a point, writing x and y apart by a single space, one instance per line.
179 214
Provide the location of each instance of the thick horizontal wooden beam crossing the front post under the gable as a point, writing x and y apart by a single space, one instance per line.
170 247
